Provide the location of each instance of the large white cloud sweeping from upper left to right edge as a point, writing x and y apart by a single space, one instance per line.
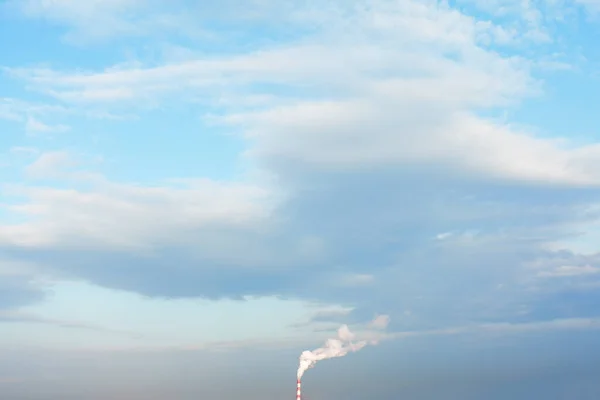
417 104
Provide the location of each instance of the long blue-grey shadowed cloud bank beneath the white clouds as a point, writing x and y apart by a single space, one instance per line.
381 223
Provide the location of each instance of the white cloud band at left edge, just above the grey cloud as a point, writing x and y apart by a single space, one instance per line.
139 217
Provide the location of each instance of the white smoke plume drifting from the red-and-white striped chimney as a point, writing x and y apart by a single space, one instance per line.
339 346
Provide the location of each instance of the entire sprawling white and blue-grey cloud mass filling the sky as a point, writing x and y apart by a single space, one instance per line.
381 175
